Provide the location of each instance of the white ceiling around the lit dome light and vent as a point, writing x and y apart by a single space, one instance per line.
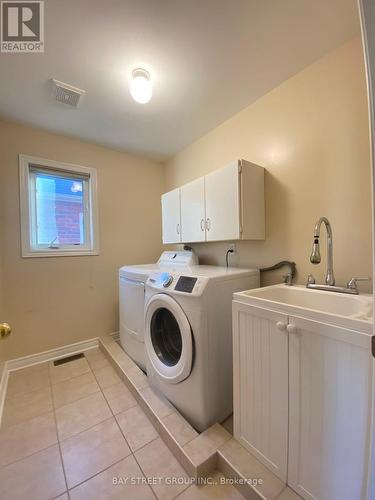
209 59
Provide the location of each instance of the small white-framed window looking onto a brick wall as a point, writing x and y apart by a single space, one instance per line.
58 208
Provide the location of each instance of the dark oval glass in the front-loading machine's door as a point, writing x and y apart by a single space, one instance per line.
166 336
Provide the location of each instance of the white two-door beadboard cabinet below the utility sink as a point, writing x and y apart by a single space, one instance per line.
302 400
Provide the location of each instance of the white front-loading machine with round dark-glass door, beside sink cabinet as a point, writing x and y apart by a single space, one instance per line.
188 338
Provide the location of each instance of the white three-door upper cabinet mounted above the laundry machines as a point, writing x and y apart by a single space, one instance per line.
227 204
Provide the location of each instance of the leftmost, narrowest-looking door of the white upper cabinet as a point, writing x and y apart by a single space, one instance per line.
170 205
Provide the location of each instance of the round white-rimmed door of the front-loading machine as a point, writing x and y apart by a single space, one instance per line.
168 339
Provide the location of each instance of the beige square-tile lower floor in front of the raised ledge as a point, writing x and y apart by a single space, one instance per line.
75 431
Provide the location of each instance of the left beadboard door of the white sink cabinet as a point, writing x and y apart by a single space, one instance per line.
260 363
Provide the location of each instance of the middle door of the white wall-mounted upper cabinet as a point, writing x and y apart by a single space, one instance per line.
192 211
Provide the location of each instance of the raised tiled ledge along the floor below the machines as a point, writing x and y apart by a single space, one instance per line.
199 454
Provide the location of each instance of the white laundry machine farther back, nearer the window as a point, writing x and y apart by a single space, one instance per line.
132 281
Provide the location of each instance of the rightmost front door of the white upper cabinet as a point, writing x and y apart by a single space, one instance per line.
223 204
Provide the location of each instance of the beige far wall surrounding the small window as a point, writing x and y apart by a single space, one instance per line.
55 301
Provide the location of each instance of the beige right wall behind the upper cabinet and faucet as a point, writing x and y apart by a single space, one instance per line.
311 134
